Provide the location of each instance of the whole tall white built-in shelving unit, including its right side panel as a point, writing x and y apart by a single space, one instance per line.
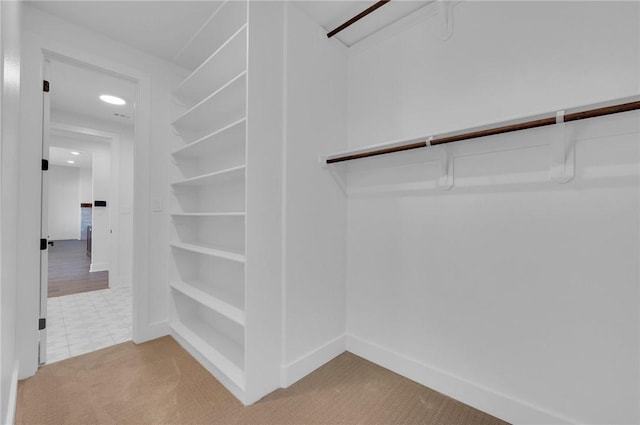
222 309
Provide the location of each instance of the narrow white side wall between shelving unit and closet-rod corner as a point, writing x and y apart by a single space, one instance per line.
315 208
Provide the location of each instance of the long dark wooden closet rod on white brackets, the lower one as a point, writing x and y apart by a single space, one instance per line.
575 116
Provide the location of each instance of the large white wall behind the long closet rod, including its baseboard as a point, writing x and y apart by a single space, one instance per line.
510 293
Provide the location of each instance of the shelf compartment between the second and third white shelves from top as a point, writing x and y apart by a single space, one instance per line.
219 109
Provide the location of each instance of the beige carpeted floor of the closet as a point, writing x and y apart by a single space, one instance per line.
159 383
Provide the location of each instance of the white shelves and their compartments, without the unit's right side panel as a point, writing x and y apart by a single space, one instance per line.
208 213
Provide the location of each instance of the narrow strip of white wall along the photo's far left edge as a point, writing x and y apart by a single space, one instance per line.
9 148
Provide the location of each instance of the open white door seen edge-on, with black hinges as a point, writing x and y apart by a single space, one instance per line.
44 218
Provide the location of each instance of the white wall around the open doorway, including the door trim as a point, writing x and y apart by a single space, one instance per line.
155 80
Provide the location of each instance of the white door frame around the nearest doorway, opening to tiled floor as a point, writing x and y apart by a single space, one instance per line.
34 50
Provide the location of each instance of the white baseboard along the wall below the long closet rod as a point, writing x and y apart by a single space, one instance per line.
499 405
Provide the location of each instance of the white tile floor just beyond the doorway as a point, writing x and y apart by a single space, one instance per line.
89 321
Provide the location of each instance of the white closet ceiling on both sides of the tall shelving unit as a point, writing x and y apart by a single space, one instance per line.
162 28
